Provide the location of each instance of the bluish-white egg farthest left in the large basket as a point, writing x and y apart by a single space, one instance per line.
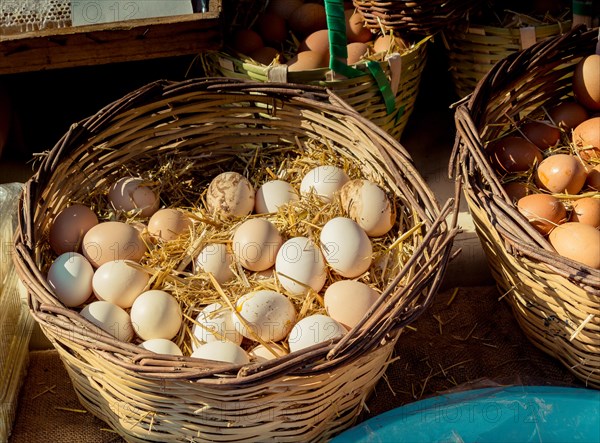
70 276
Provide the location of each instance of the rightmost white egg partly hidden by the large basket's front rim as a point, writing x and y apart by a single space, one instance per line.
312 330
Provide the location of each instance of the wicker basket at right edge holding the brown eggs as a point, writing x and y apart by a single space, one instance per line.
555 300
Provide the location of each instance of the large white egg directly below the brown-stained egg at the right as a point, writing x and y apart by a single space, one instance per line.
346 247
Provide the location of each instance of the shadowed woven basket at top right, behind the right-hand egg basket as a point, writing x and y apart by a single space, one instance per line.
474 49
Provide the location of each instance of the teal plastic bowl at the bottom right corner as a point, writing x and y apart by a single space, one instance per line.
505 414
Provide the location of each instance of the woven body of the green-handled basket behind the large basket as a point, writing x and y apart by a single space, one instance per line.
362 92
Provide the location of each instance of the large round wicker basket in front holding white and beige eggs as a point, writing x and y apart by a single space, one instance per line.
308 395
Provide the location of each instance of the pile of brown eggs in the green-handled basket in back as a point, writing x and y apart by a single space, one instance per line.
294 32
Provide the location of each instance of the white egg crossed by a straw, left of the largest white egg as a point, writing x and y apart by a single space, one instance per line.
300 265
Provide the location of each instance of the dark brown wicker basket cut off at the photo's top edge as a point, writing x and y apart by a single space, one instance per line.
408 16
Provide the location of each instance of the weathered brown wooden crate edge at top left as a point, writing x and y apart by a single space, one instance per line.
111 42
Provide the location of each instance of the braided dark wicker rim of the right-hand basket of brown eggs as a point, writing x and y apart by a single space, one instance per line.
470 164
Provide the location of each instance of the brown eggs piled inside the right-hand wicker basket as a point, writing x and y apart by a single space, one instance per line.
551 168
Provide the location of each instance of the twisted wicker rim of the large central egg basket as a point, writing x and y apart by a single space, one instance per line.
83 136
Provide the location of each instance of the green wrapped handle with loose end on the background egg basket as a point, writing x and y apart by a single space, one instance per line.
338 53
